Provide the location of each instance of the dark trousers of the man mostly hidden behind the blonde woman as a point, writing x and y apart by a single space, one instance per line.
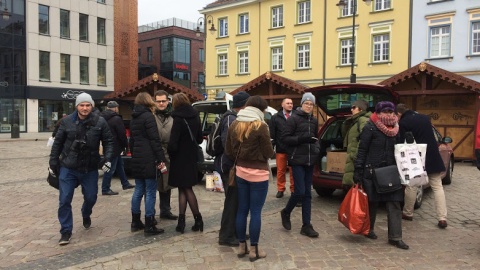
227 226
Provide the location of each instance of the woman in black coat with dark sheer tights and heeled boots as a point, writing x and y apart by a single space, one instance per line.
185 136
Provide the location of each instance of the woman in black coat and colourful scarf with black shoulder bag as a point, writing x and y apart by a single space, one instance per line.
375 150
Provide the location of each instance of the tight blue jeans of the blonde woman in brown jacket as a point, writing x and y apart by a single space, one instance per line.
251 198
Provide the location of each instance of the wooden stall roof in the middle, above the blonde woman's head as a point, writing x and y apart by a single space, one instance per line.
272 77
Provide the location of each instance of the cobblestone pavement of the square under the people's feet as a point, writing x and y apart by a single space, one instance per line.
29 229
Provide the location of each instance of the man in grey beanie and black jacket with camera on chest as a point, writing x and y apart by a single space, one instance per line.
78 142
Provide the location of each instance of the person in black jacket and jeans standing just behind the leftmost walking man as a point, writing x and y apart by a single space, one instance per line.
115 122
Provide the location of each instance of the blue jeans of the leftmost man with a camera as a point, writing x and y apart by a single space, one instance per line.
68 180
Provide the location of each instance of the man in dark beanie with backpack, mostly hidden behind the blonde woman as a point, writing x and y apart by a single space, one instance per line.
227 233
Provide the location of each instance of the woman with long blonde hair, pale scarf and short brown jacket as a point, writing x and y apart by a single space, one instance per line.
248 142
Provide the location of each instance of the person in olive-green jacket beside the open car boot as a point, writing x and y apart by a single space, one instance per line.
351 130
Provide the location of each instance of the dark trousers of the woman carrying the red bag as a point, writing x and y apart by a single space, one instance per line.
394 218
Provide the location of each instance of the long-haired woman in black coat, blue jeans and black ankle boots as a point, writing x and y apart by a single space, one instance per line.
147 158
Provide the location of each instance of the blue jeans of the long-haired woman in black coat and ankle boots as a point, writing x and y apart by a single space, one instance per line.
149 188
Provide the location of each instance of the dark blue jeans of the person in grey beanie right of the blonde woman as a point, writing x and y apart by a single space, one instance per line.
303 192
